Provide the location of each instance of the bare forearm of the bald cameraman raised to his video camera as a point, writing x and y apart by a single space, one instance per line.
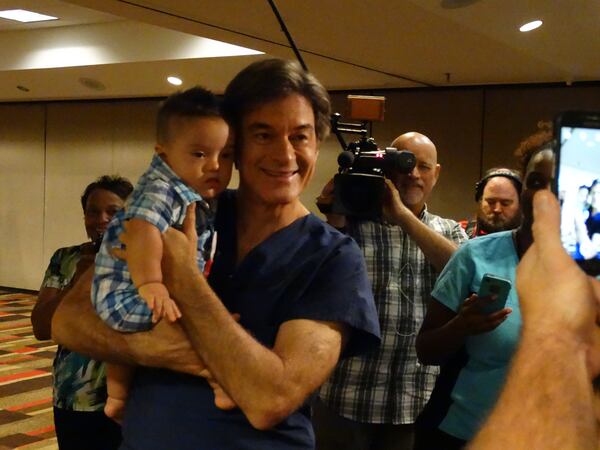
436 248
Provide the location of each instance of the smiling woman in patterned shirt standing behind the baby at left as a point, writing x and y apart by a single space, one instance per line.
79 390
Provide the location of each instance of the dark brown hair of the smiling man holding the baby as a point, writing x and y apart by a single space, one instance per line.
271 79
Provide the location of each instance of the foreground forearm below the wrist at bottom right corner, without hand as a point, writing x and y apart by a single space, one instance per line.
547 401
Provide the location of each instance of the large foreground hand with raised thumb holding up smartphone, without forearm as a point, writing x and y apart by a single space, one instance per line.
557 299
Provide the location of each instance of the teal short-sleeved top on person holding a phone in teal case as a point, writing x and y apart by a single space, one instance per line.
489 354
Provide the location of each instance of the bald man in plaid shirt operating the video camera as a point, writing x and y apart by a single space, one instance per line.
371 402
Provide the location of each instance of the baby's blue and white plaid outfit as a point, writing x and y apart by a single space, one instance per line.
160 198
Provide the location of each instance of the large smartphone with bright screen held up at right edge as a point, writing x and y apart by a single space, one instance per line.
577 184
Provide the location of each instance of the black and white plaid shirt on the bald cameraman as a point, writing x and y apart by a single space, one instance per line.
389 385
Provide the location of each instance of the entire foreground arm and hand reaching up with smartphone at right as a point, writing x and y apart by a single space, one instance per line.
549 391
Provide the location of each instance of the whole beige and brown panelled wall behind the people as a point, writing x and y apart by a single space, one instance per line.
50 152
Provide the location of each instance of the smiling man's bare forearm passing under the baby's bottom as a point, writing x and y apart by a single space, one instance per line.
76 326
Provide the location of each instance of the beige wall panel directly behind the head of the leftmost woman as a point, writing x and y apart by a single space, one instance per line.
85 141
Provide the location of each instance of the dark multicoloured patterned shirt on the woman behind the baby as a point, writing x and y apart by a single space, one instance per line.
79 382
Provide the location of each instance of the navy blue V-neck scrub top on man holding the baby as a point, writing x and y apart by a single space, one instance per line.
307 270
